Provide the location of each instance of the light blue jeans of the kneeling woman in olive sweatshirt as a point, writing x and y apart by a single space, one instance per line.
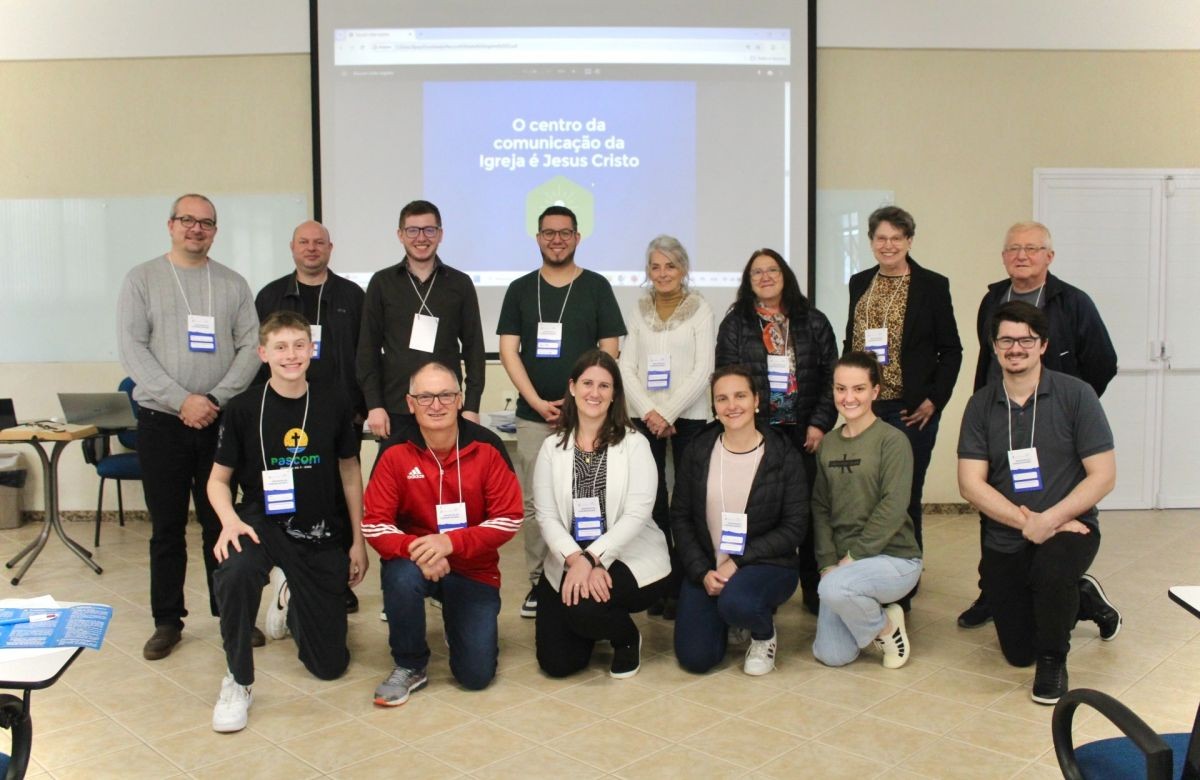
851 604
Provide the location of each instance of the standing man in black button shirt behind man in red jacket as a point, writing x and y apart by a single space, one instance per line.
417 311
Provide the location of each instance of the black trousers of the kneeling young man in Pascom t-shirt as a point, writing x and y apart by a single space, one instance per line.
317 581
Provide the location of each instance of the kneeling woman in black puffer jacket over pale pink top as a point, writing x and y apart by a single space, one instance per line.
737 515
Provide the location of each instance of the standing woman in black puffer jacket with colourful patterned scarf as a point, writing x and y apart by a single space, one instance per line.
791 351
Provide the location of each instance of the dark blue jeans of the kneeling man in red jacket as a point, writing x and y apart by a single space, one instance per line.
469 614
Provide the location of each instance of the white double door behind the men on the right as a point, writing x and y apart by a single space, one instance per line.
1131 239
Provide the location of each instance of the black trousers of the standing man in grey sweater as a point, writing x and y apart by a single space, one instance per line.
176 465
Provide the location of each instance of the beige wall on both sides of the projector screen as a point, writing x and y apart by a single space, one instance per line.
957 135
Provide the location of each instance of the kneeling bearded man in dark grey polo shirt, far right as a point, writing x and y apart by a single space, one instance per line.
1036 457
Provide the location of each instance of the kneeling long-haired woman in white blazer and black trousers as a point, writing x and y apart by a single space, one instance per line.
595 487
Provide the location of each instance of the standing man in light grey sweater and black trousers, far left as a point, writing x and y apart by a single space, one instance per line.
188 334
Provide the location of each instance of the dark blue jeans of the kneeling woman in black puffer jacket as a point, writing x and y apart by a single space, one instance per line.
748 602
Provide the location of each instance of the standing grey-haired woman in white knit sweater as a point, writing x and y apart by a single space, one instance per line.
665 364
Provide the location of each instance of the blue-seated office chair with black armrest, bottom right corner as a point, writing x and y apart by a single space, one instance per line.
1139 754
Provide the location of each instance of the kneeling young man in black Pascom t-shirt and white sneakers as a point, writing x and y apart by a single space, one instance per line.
285 442
